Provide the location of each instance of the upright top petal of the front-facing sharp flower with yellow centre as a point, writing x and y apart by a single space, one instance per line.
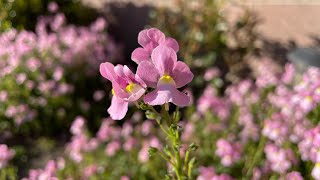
164 59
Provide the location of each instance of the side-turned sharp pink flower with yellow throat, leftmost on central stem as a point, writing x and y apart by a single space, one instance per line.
127 87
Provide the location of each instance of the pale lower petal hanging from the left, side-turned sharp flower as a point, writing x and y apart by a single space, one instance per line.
118 108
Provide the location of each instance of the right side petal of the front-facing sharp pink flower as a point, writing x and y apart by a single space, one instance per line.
181 74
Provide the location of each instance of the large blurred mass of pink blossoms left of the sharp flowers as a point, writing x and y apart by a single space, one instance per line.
37 68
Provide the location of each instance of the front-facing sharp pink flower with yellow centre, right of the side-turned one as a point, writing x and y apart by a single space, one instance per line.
166 74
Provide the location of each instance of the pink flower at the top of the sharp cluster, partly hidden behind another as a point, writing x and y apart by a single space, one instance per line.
149 39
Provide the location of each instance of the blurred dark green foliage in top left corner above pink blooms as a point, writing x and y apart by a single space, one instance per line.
23 14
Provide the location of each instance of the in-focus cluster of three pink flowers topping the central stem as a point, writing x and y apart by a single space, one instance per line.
158 68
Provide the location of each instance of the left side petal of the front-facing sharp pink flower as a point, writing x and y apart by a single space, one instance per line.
148 73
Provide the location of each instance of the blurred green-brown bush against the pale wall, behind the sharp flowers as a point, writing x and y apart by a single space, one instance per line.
207 38
